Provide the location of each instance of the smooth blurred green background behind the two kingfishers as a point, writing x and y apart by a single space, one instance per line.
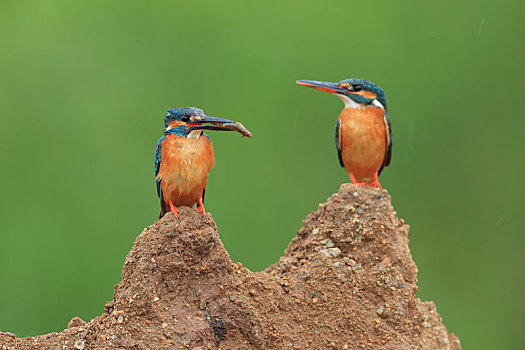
84 86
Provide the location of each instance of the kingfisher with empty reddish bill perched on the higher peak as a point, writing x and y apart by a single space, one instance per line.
363 134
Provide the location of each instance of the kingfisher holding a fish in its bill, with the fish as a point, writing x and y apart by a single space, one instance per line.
184 157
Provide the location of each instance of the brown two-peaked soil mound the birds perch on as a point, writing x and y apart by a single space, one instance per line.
346 281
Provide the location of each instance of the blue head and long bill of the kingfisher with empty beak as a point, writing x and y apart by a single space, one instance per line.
354 92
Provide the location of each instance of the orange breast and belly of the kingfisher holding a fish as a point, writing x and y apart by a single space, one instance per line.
185 164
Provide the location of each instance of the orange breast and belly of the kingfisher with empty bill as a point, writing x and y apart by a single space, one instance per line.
363 139
